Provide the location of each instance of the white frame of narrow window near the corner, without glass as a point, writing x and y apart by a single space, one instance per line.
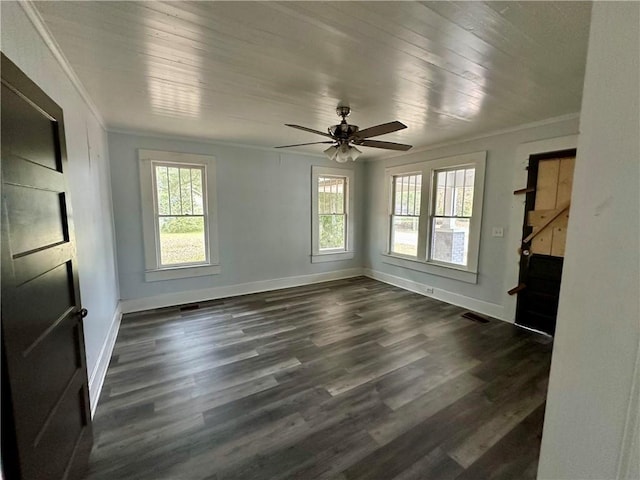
347 253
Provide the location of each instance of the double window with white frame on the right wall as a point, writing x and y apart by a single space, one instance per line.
435 215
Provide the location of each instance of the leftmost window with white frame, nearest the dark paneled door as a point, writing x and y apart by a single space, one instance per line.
179 215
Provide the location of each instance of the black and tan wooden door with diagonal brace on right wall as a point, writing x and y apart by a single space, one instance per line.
547 208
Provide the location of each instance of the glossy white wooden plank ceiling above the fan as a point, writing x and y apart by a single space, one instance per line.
237 71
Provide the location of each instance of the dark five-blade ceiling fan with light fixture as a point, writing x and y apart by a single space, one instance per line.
345 137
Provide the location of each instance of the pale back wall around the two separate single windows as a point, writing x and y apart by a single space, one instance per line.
264 227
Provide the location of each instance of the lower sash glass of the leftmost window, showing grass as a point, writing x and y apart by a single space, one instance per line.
182 240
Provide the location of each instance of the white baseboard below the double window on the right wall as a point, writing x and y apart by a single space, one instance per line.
490 309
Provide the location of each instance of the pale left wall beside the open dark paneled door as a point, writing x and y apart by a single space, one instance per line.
89 184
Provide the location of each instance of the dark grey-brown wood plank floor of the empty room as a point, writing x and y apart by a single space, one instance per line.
352 379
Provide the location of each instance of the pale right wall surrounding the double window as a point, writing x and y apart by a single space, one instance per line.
489 294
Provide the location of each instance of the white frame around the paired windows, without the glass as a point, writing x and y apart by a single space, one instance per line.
422 262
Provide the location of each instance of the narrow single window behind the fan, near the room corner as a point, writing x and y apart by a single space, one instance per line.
332 226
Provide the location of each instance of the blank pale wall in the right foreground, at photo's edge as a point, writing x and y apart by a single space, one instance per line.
592 407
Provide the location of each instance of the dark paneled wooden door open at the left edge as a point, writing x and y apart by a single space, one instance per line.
46 422
